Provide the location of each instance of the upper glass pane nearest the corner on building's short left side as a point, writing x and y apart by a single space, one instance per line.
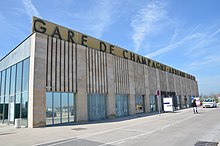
25 75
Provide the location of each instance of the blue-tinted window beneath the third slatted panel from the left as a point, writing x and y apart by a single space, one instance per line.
121 105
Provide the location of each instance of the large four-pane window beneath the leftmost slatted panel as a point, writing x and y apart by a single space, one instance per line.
60 108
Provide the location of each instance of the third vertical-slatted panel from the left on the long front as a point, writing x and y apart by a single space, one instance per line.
121 75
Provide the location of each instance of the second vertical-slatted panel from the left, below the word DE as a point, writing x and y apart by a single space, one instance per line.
96 71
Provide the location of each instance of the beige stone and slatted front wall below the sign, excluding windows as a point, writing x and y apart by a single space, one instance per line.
92 71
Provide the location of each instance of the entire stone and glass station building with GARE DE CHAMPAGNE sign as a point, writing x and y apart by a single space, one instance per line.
58 76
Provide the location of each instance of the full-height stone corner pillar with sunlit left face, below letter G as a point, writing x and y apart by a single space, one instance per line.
37 81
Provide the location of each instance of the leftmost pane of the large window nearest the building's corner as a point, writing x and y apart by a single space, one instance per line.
49 108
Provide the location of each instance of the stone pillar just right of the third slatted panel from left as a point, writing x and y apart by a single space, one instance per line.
131 98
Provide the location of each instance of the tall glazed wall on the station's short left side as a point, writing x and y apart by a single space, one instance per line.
14 93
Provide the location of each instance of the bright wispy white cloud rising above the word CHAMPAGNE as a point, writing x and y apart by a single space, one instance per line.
147 20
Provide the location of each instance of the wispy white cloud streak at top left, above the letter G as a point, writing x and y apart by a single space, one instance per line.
30 9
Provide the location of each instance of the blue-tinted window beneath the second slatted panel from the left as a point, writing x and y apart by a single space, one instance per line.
96 106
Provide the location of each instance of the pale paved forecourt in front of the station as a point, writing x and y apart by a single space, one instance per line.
181 128
